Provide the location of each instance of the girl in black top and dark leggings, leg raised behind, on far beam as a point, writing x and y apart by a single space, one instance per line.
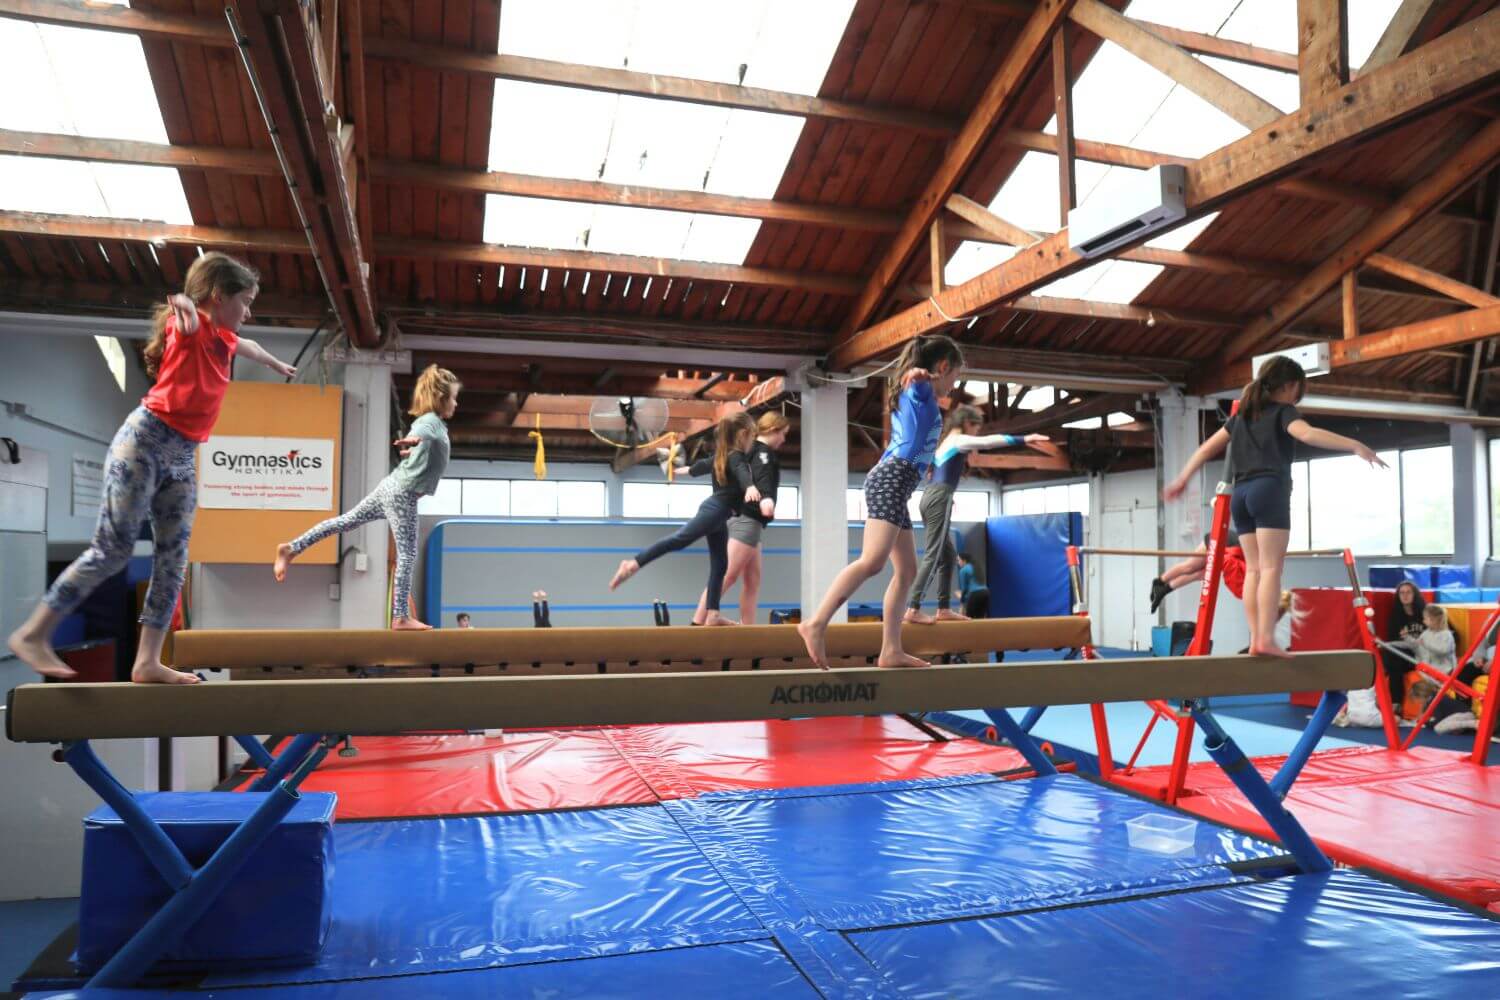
734 485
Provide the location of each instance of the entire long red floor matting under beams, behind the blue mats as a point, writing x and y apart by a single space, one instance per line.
587 768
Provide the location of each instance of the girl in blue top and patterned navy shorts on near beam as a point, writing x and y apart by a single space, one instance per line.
926 373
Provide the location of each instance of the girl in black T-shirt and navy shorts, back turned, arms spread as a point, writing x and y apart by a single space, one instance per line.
1261 440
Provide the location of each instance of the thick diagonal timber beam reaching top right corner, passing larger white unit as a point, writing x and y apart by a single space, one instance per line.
1442 73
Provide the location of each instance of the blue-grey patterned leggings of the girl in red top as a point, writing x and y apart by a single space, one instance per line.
149 473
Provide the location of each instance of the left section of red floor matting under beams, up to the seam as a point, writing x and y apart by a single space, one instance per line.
446 776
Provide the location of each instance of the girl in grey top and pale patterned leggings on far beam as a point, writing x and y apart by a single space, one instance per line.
425 460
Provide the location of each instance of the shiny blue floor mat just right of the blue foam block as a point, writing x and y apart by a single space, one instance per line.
452 894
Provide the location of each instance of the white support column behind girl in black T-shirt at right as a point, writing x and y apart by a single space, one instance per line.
1181 524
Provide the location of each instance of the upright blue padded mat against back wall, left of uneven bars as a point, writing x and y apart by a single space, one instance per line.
1028 564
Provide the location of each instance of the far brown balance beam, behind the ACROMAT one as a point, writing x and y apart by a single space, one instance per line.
214 648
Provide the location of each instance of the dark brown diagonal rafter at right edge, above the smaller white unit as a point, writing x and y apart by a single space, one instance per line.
1456 173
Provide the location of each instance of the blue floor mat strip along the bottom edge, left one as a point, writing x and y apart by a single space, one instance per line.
751 971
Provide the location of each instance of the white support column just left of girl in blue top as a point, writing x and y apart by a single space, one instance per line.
826 478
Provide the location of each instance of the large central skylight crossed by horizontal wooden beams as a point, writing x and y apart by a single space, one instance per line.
772 44
